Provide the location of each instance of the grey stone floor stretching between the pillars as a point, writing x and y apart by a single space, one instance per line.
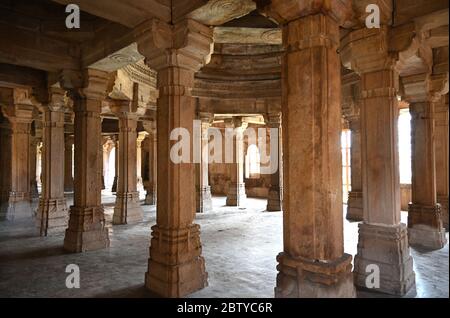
239 246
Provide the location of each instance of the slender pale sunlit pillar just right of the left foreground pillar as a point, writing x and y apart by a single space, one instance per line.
204 200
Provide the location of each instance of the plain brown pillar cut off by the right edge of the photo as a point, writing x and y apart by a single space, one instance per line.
441 146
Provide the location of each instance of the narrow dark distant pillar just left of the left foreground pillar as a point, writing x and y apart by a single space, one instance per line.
151 184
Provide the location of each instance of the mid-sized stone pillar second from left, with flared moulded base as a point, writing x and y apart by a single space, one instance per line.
52 215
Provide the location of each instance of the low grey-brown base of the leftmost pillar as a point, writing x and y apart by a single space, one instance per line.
17 208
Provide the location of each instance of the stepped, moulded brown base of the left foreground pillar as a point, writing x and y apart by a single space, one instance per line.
176 267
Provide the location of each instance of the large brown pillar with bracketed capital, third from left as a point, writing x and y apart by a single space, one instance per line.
87 230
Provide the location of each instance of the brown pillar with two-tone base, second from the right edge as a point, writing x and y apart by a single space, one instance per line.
425 228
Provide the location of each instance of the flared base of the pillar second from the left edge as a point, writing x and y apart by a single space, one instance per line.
52 216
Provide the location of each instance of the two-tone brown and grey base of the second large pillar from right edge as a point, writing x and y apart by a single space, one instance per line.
425 229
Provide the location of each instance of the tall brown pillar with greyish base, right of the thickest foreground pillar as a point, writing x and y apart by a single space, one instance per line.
382 238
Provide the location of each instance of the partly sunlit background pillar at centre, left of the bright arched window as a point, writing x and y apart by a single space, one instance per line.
236 190
